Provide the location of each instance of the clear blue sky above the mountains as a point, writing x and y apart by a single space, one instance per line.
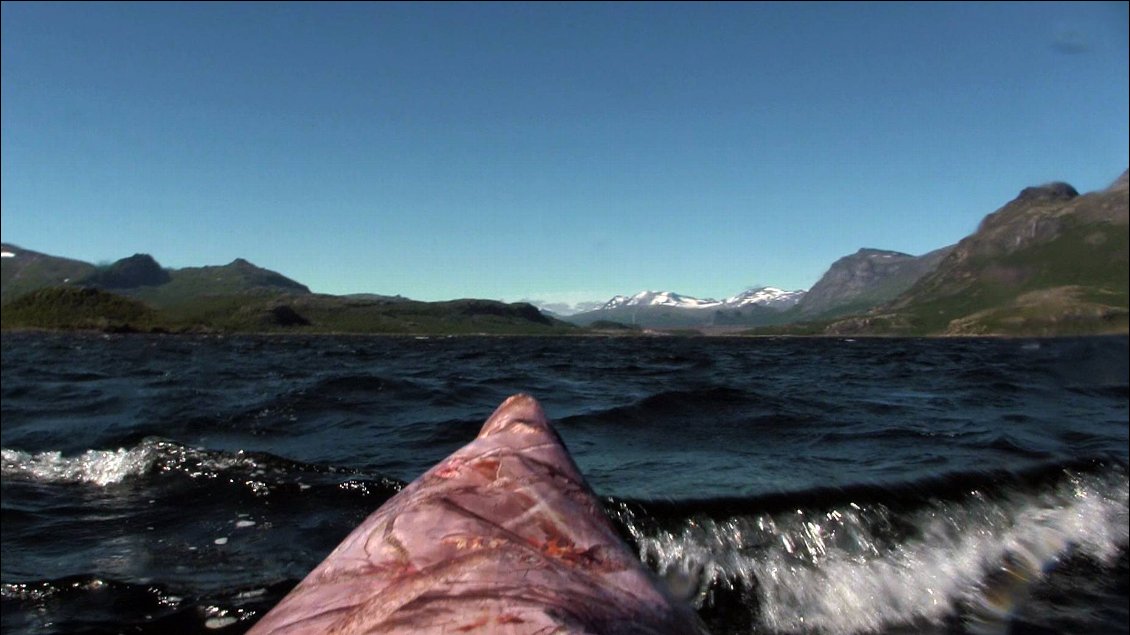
541 151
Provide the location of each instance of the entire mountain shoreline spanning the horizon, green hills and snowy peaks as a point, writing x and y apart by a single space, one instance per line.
1049 263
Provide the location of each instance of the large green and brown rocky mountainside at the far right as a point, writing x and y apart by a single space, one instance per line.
1048 263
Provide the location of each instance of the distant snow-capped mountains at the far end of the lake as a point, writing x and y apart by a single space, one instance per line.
668 310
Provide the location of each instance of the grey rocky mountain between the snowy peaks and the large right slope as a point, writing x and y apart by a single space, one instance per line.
865 280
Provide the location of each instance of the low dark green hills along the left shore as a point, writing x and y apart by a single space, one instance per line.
137 294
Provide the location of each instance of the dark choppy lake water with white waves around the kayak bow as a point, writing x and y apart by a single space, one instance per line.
185 485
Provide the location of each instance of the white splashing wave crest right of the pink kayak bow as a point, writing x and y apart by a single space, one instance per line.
862 568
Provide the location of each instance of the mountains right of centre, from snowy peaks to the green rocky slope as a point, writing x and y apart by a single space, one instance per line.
1050 262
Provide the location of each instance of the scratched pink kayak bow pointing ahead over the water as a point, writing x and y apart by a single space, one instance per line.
505 536
